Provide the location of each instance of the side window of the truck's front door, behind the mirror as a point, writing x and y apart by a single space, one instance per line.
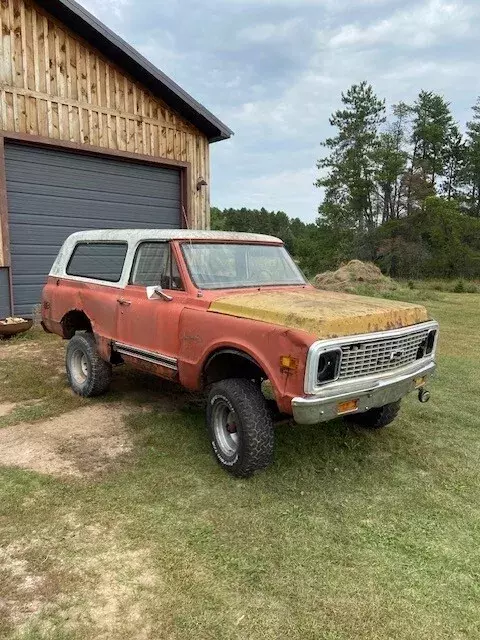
156 266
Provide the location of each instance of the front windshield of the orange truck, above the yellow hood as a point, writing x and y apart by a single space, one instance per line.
223 266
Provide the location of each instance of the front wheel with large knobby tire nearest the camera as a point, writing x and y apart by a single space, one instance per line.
240 426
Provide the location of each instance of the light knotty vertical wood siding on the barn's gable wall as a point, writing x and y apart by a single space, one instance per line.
54 85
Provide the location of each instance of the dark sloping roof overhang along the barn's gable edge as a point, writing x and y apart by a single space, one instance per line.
79 20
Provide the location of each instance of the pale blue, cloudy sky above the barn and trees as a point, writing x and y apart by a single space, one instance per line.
274 70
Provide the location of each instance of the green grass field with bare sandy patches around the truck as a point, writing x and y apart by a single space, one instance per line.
348 536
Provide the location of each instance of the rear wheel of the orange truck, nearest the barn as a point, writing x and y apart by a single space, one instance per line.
87 373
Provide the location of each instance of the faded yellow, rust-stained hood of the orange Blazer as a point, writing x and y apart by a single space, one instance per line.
325 314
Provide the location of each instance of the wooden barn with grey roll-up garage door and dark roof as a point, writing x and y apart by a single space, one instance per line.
92 135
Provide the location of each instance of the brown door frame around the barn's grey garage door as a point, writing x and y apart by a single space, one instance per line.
184 168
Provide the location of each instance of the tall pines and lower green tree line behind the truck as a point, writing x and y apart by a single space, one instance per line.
401 188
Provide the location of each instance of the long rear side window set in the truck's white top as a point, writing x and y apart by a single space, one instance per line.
98 260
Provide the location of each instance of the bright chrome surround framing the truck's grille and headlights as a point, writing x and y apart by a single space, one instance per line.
321 346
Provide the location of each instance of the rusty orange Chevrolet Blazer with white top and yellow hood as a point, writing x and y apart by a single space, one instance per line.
231 314
